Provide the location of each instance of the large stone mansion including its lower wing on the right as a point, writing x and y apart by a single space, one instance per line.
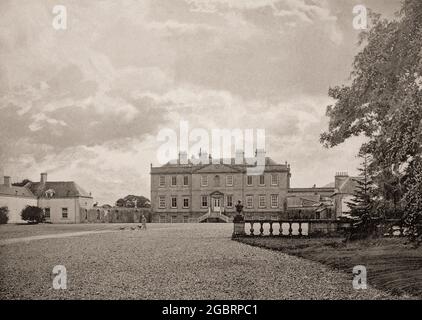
182 191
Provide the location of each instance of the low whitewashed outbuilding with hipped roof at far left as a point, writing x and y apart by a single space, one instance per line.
62 201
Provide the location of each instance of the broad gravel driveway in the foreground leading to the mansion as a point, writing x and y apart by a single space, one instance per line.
179 261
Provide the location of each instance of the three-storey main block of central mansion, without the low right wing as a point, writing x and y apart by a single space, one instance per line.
210 191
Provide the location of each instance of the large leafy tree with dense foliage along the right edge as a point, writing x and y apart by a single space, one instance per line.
384 103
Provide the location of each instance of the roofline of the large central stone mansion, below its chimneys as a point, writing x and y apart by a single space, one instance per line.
222 165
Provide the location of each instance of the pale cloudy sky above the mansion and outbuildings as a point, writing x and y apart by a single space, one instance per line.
87 103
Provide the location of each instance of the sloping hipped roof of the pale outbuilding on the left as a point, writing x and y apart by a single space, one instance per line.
61 189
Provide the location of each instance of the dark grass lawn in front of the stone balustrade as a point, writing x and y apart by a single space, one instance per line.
392 265
